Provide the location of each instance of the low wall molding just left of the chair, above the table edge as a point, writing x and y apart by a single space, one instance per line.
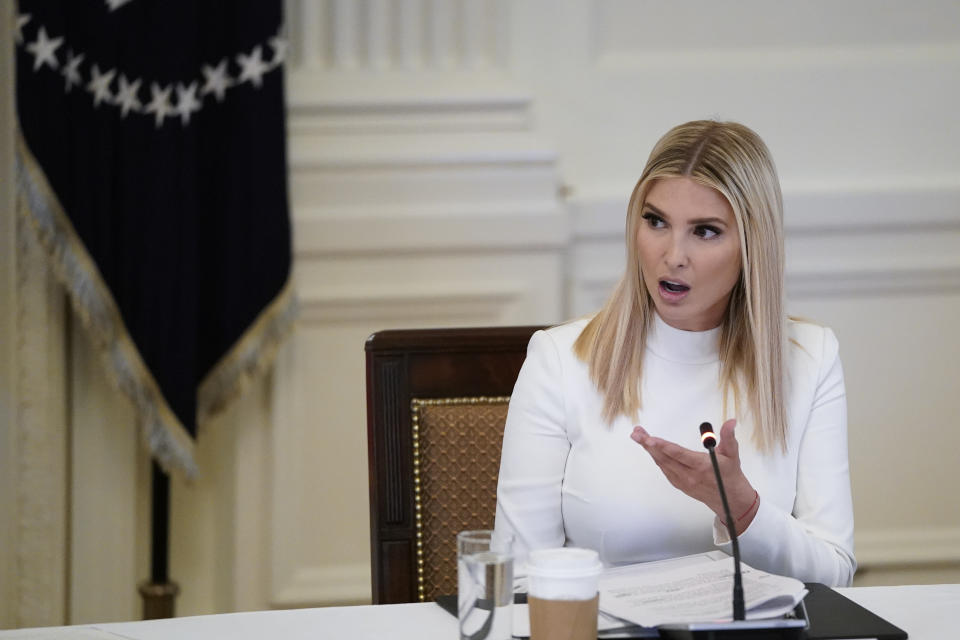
333 584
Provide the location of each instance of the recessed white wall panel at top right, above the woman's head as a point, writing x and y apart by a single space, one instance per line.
631 36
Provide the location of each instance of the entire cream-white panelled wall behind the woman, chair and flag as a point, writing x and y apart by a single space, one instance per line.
468 162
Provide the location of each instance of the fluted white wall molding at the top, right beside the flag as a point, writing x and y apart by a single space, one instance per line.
419 65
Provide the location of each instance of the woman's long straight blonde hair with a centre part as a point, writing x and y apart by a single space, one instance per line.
732 159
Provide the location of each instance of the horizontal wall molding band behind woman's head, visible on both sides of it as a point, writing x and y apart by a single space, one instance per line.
863 240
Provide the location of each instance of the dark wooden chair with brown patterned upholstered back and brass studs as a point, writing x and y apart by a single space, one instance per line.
436 404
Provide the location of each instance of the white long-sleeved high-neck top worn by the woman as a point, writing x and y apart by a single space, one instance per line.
566 477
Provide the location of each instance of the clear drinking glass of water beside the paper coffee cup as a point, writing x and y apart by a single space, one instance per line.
485 585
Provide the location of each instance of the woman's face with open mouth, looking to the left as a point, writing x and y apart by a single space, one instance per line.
689 252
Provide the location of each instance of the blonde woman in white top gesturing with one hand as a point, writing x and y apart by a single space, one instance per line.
601 447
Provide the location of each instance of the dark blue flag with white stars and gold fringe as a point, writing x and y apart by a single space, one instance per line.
151 162
